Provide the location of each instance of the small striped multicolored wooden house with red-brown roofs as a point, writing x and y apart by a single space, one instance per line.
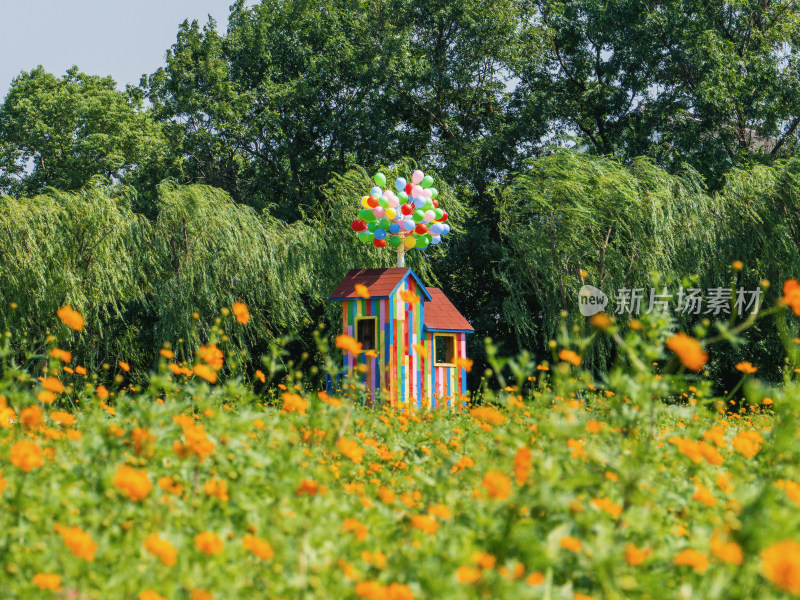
412 338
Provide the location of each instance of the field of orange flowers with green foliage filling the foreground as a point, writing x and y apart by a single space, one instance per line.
190 486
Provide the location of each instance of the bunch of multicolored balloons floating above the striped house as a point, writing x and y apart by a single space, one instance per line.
410 218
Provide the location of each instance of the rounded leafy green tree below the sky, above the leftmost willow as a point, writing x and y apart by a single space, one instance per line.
61 132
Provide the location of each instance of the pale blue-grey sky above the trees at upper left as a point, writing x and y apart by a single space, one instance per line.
121 38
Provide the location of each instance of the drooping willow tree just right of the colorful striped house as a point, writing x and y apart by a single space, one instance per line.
567 213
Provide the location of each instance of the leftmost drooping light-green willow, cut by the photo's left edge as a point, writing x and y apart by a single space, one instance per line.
85 249
